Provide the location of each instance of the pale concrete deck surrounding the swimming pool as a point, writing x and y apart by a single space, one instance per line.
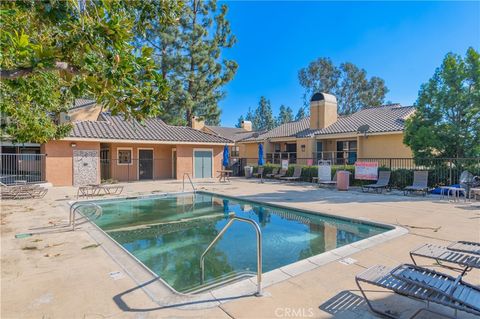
65 275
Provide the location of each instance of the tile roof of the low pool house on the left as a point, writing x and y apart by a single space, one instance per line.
116 127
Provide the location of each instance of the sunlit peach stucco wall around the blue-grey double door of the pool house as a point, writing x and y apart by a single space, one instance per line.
185 158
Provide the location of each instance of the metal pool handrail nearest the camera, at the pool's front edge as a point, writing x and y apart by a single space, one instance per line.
259 248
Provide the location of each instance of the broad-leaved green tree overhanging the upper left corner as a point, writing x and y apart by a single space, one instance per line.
54 51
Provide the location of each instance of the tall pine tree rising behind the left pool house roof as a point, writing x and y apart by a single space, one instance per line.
189 58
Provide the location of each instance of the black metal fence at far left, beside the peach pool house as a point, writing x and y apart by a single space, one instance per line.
22 168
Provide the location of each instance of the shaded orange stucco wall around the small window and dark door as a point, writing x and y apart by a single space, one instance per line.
162 163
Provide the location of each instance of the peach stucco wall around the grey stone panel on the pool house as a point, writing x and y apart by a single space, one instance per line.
59 160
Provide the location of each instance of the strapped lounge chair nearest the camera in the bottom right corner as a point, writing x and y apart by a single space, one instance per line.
424 285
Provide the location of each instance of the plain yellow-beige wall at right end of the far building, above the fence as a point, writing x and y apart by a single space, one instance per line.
389 145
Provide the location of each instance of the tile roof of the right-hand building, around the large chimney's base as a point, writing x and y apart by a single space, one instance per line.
386 118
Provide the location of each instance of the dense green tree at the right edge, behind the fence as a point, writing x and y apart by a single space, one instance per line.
447 118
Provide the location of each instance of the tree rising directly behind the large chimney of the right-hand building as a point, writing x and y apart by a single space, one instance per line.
347 82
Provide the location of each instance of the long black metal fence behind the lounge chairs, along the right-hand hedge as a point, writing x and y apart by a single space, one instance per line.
442 171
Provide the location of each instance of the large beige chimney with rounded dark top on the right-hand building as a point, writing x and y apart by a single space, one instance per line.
323 110
